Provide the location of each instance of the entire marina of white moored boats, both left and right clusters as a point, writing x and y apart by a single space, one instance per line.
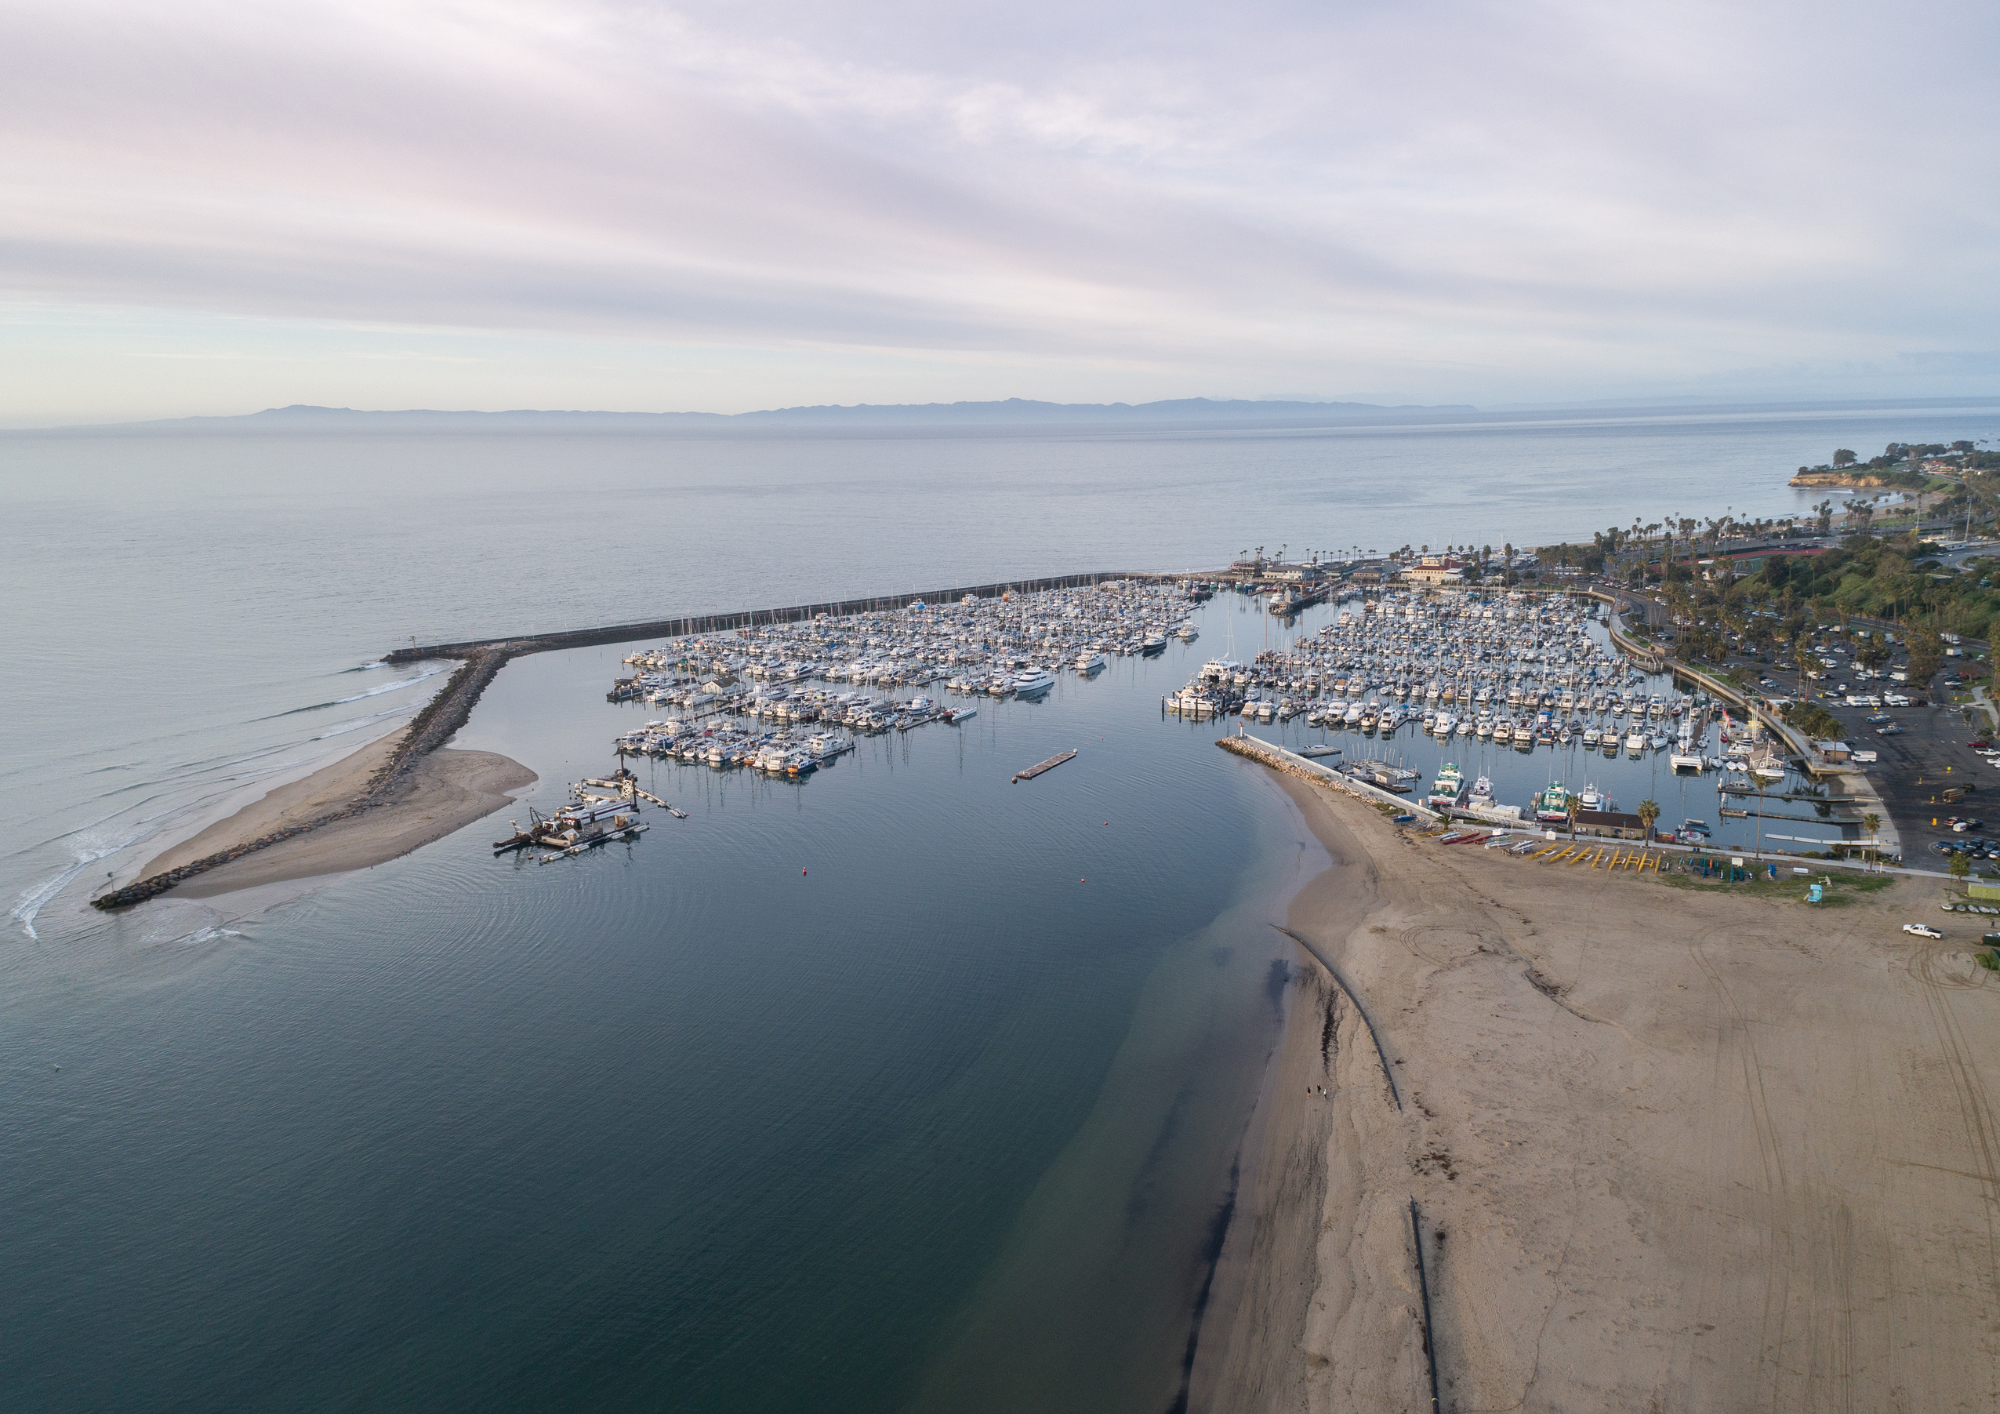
1501 709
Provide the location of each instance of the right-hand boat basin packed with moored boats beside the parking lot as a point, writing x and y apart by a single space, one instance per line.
1505 709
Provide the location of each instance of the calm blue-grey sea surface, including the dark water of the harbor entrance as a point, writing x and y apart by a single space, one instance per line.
845 1095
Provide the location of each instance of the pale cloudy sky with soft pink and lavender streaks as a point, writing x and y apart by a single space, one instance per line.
217 207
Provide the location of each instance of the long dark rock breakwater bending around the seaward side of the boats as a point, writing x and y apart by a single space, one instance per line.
441 719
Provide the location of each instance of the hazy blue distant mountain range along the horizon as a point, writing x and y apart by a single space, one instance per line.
1013 413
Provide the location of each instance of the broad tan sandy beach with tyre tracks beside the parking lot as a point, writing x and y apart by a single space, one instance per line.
1675 1149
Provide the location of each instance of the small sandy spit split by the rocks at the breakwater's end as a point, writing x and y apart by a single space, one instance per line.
443 793
